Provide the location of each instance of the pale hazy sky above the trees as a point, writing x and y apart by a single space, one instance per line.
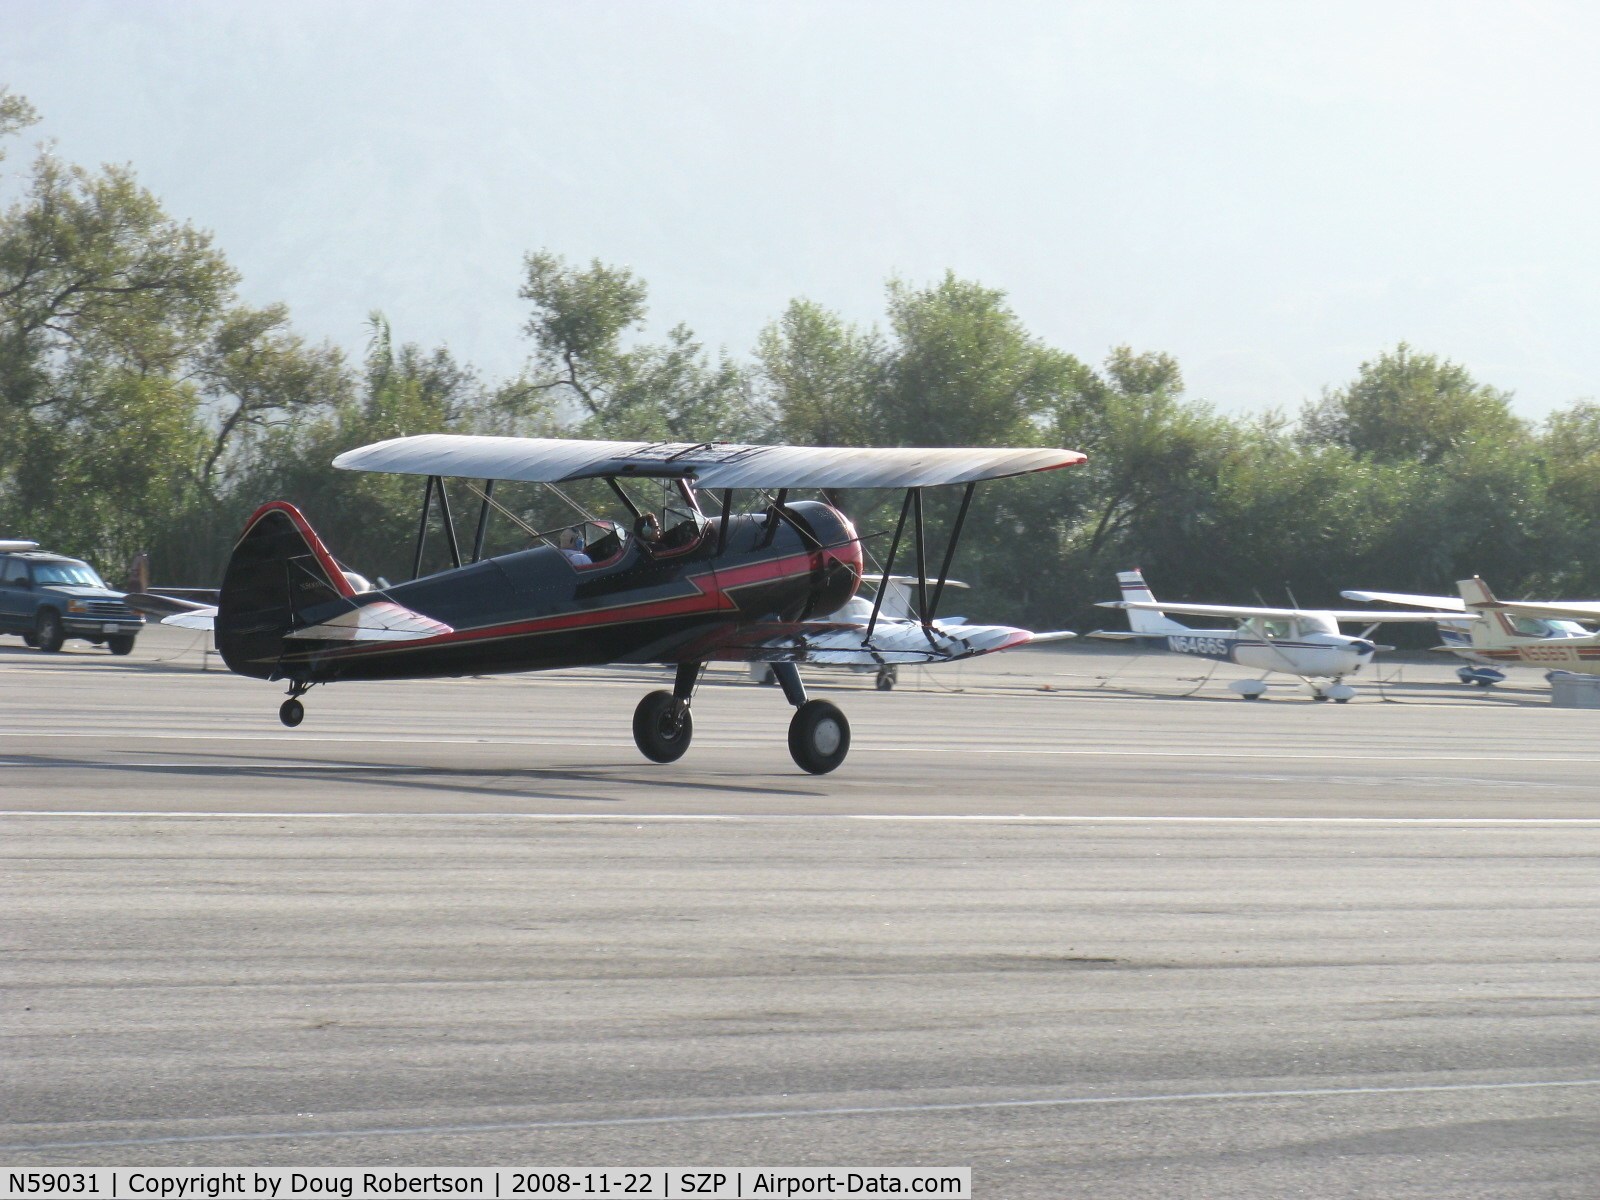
1270 191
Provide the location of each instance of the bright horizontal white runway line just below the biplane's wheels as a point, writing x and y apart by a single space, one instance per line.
783 818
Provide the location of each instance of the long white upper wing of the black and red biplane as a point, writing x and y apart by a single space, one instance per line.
710 465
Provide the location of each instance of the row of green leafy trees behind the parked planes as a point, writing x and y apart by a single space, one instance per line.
146 409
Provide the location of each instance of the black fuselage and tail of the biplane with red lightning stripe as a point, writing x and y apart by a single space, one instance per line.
535 610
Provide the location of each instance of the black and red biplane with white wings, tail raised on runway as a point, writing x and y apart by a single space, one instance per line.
662 585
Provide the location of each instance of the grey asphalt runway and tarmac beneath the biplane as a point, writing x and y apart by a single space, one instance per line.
1084 922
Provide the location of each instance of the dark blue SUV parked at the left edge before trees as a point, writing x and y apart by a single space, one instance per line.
49 598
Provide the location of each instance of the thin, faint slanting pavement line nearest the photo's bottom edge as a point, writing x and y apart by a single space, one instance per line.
785 1114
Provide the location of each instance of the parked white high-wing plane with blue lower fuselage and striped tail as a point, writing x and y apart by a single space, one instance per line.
1286 641
